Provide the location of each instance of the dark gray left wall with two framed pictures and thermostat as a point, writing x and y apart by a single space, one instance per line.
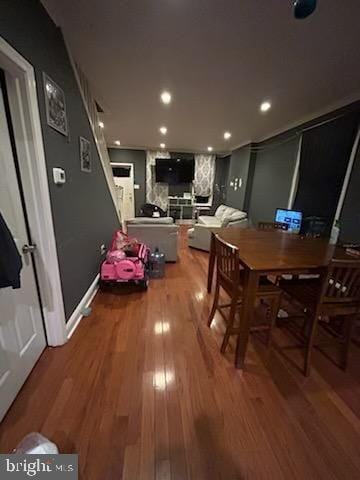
83 212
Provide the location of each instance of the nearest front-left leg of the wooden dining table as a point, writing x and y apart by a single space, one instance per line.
246 316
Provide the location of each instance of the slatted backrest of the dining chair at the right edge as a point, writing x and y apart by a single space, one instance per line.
343 282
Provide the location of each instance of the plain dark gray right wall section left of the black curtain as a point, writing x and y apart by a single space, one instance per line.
272 178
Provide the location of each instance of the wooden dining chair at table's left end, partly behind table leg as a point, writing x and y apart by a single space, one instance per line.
229 277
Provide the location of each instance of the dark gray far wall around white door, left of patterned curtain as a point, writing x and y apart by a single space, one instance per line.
138 159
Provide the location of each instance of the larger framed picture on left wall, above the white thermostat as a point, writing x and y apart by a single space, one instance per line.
55 106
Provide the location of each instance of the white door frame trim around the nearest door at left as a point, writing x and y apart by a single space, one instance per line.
21 89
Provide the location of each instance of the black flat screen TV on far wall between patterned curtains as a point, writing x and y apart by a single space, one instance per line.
174 170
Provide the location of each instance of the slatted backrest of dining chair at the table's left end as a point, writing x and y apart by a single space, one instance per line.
228 264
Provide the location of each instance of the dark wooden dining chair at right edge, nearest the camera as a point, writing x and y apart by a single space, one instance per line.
336 293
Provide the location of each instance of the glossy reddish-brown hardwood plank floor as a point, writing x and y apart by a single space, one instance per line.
142 392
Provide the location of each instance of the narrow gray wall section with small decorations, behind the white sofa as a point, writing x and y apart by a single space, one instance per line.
238 168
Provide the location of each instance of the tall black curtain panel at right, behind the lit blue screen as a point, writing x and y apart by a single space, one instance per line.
324 158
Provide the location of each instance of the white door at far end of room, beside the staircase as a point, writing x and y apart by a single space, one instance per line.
124 177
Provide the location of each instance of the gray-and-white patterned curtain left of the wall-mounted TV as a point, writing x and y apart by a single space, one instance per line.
156 193
